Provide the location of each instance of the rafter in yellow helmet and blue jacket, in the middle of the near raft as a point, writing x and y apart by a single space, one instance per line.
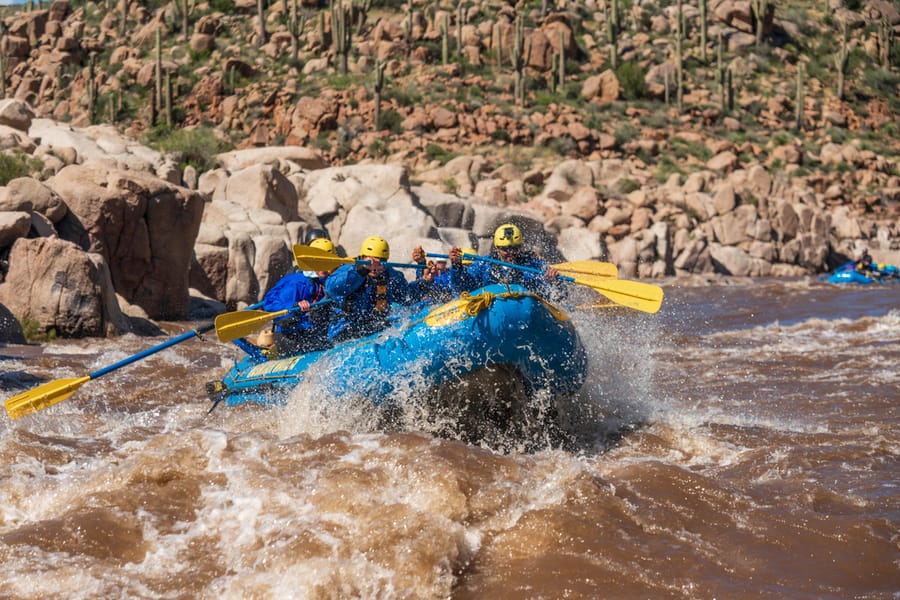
362 293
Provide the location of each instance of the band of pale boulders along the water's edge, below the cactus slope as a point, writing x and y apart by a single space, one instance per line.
110 235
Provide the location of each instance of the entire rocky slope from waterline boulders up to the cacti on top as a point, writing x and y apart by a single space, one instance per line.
673 138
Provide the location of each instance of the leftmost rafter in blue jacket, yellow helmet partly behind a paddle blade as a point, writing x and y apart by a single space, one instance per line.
306 331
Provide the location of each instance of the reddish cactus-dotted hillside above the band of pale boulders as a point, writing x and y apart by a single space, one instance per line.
525 83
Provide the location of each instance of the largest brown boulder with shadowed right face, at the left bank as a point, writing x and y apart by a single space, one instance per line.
143 227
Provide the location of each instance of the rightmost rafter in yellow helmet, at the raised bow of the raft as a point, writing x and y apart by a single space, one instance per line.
508 247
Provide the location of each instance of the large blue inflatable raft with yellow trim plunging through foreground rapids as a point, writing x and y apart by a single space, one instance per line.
501 328
